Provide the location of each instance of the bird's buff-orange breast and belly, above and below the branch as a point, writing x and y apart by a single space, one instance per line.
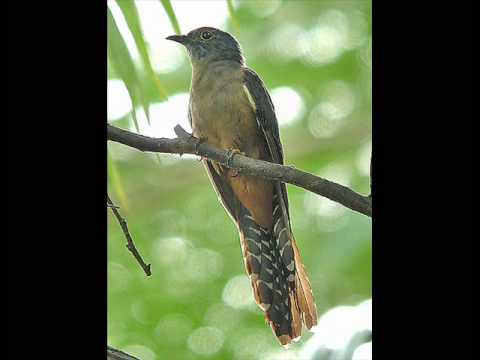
223 116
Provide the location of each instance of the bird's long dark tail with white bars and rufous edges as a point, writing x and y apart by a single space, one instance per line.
280 284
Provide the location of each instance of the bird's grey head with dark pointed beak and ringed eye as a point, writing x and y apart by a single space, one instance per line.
207 44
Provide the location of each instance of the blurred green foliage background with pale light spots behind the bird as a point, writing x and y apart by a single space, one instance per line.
315 58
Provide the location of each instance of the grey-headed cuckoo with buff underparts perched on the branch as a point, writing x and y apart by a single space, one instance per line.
230 108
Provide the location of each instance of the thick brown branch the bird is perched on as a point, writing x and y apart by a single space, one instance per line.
187 144
